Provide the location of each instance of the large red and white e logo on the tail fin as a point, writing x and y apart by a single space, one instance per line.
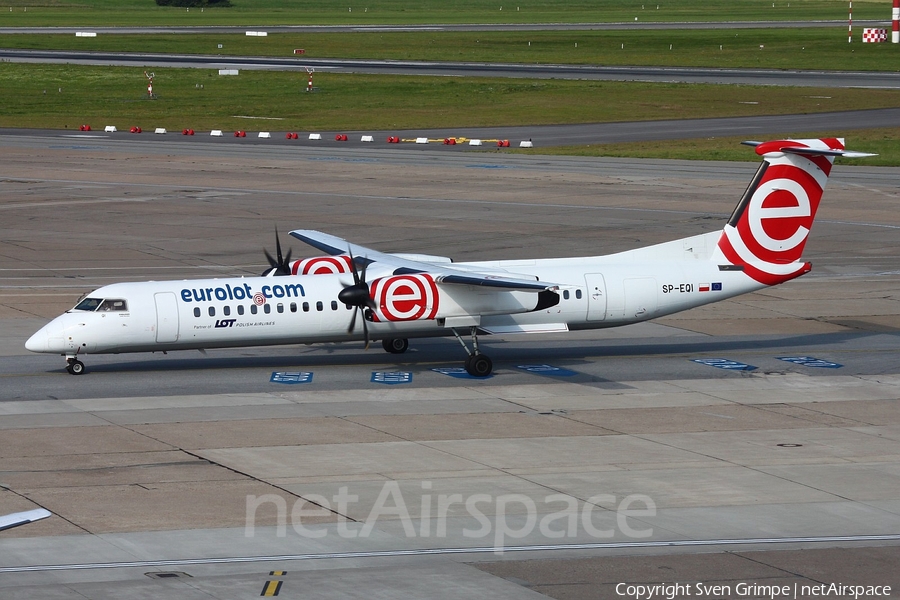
770 233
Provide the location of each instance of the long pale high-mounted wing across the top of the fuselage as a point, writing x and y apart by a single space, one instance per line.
442 273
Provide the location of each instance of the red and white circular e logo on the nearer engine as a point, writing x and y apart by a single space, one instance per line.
405 297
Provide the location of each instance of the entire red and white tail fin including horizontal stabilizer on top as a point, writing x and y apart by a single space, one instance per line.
767 231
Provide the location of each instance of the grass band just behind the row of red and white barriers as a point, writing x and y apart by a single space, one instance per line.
30 96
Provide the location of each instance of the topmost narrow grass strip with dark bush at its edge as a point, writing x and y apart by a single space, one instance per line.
98 13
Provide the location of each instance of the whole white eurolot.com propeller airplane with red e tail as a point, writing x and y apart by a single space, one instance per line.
408 296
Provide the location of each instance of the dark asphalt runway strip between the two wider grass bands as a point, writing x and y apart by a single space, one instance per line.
824 79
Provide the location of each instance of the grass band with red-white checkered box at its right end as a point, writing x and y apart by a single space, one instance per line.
824 48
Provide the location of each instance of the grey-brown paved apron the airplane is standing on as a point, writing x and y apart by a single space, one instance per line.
153 465
